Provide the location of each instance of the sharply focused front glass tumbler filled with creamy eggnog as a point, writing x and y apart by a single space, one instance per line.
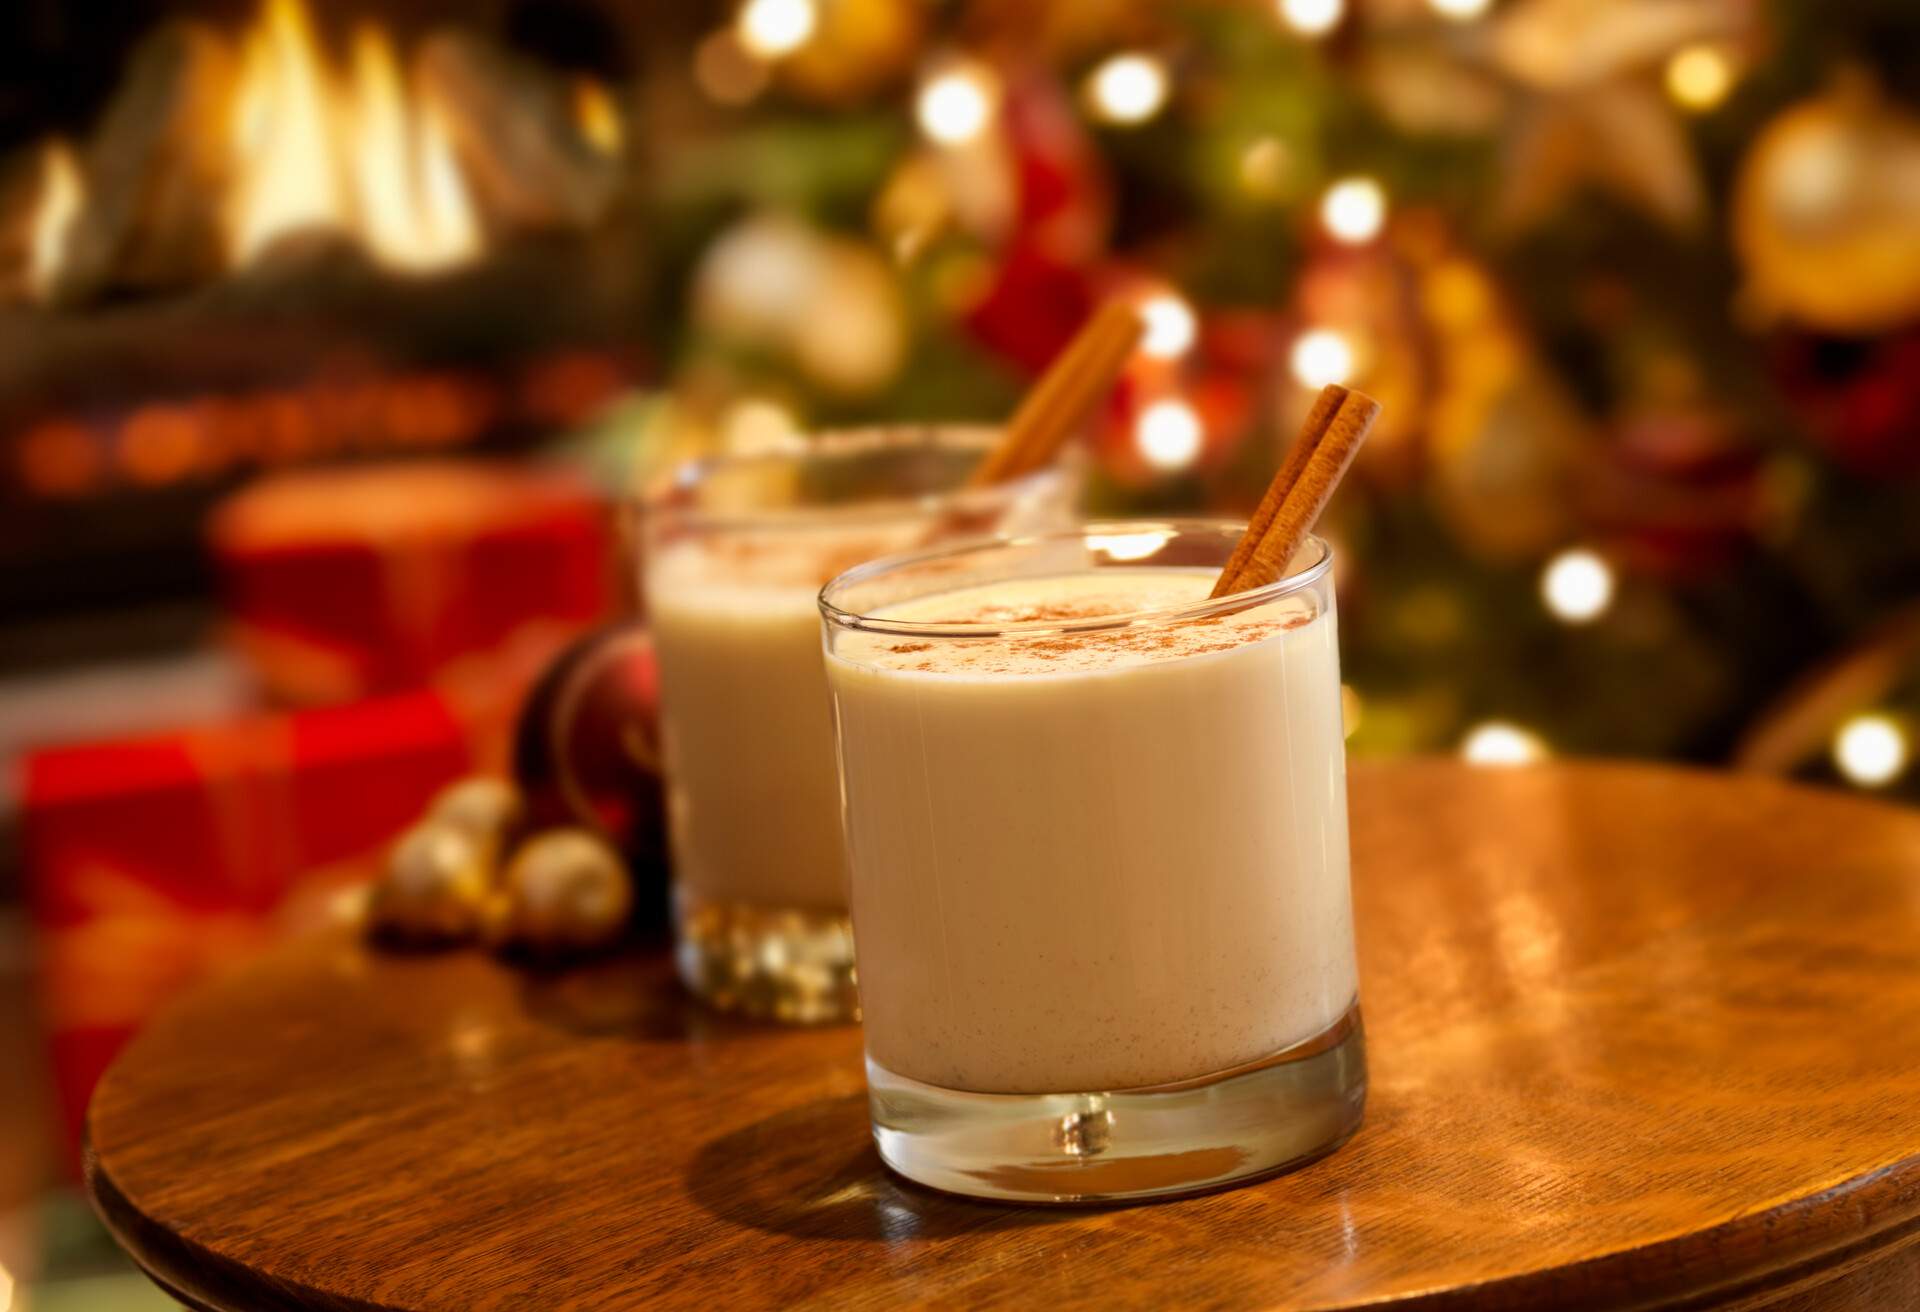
1097 838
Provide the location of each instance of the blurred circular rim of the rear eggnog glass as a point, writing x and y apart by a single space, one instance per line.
842 445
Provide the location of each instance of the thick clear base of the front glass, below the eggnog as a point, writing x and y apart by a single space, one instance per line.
1130 1144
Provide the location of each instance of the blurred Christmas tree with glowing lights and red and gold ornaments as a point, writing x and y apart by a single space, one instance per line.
1637 281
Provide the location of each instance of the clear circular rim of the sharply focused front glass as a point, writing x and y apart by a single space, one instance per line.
1226 529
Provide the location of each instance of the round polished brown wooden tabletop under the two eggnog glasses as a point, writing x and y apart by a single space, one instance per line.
1639 1038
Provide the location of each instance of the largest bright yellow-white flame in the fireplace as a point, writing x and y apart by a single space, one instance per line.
364 155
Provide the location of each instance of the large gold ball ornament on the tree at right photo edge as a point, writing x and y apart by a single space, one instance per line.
1827 214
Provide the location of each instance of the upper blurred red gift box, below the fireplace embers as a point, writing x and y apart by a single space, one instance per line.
347 583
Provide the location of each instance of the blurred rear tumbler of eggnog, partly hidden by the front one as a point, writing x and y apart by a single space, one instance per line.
734 556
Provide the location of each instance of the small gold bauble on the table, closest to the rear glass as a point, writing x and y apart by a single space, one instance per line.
567 890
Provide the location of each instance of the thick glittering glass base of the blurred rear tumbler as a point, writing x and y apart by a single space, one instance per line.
767 961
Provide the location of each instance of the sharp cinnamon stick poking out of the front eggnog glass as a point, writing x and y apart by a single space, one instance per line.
1330 437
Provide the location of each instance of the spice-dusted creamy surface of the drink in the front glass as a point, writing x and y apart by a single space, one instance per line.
1068 600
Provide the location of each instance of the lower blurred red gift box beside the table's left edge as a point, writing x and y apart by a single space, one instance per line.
158 860
